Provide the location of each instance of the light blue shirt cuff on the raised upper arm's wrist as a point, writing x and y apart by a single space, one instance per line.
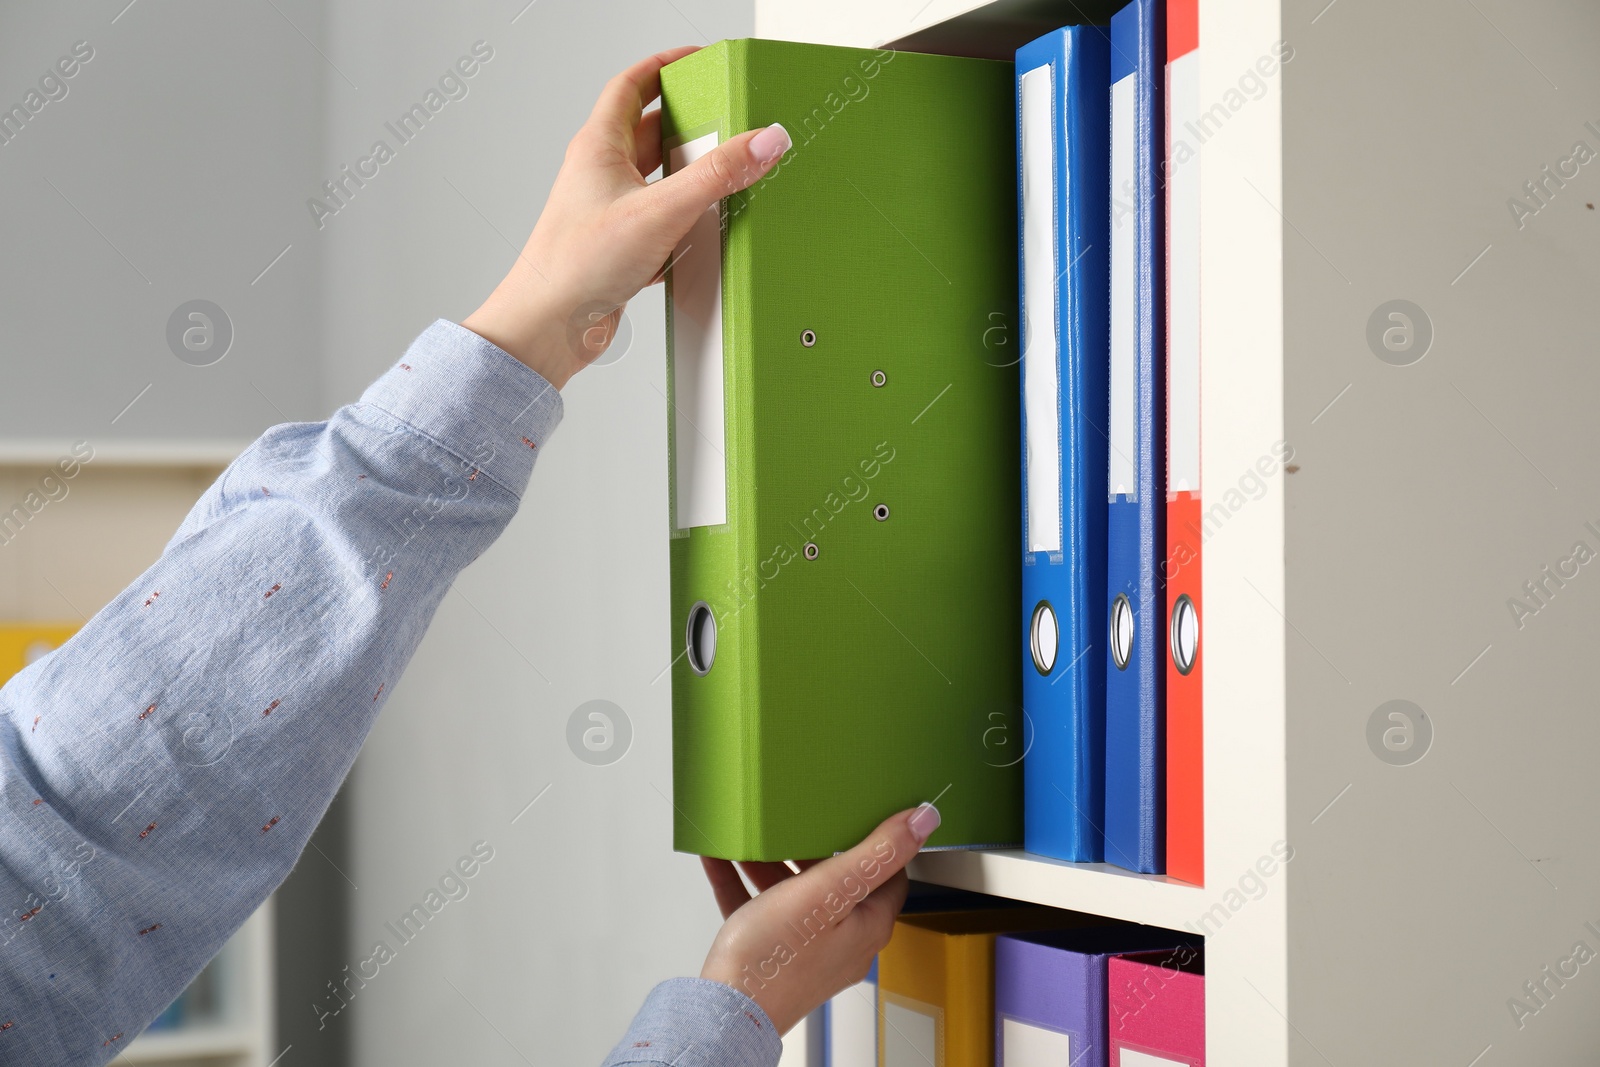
474 399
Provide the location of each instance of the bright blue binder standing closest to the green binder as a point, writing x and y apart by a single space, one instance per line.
1063 182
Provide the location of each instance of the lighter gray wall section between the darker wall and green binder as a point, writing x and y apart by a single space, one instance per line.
585 906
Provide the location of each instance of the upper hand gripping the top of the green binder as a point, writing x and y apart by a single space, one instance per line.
606 234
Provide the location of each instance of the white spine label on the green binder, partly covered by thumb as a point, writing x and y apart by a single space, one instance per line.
698 430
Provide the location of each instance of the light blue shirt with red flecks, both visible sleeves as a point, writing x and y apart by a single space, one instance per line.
162 770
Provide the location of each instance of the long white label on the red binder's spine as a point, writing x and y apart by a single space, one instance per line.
1183 281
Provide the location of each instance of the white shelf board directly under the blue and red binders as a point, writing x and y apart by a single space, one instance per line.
1095 889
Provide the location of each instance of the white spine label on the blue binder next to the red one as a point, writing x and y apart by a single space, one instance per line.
1124 273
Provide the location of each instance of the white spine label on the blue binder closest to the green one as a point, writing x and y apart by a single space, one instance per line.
1042 335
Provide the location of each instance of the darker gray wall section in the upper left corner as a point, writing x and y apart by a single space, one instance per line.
172 170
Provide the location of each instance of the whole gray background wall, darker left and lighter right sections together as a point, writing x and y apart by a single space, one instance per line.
182 159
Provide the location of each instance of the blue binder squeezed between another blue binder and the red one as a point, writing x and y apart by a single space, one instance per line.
1135 604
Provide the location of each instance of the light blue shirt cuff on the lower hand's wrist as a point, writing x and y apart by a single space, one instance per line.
700 1023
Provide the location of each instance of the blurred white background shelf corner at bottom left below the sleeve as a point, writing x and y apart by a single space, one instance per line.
241 1031
